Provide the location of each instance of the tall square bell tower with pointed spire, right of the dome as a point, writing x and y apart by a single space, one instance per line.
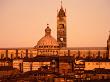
61 27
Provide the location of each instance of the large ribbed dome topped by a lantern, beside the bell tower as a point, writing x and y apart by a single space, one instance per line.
47 41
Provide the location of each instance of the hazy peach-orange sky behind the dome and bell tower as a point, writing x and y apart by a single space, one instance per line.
22 22
